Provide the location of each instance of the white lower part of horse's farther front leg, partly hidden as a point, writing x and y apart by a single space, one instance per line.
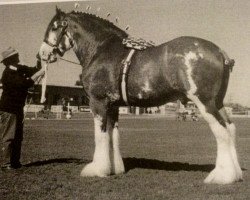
118 162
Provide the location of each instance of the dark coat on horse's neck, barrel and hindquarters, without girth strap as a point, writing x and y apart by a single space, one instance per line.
156 75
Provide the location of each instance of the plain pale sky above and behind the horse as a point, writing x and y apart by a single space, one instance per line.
223 22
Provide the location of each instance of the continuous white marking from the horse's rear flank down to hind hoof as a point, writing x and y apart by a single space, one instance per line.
227 169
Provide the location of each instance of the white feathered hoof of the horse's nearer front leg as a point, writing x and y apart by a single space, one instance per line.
93 169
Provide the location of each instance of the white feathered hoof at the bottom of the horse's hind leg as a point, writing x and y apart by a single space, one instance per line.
220 176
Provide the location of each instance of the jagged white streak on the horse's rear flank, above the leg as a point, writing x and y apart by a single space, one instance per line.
188 58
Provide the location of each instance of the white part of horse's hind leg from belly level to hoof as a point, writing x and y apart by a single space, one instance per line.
226 168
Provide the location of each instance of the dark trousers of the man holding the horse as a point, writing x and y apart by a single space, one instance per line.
11 128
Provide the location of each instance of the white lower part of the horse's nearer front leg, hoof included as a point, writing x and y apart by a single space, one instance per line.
100 166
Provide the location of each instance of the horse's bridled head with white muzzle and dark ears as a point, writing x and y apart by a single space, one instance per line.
57 39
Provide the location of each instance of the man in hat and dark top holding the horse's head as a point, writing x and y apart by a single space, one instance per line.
16 79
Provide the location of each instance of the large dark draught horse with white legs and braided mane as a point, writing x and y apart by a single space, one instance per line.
185 68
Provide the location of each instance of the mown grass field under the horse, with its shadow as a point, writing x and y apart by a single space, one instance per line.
164 159
